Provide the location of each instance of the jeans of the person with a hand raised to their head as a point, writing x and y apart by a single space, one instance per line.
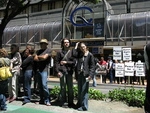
83 88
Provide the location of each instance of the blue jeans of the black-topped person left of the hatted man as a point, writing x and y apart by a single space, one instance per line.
27 85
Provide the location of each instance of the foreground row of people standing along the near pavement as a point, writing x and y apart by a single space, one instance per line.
35 64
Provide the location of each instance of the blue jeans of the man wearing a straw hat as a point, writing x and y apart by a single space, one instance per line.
44 91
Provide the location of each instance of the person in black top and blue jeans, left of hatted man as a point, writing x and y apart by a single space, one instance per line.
27 69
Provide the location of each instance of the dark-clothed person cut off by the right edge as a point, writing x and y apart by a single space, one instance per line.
147 66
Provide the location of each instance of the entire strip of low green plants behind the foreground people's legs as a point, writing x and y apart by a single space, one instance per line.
131 96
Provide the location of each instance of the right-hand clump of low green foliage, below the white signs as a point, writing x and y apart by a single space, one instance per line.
131 97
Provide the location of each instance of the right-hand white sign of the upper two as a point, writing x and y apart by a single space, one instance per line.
127 55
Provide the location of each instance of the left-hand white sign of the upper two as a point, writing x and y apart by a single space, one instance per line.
117 53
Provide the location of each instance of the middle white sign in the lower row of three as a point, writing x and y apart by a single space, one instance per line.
129 68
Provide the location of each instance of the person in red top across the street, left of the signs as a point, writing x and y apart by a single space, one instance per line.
103 64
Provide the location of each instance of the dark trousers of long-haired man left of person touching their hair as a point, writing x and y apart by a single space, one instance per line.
66 81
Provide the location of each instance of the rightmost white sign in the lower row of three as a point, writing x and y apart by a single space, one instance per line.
140 69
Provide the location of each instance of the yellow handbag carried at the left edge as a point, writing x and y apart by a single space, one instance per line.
5 71
